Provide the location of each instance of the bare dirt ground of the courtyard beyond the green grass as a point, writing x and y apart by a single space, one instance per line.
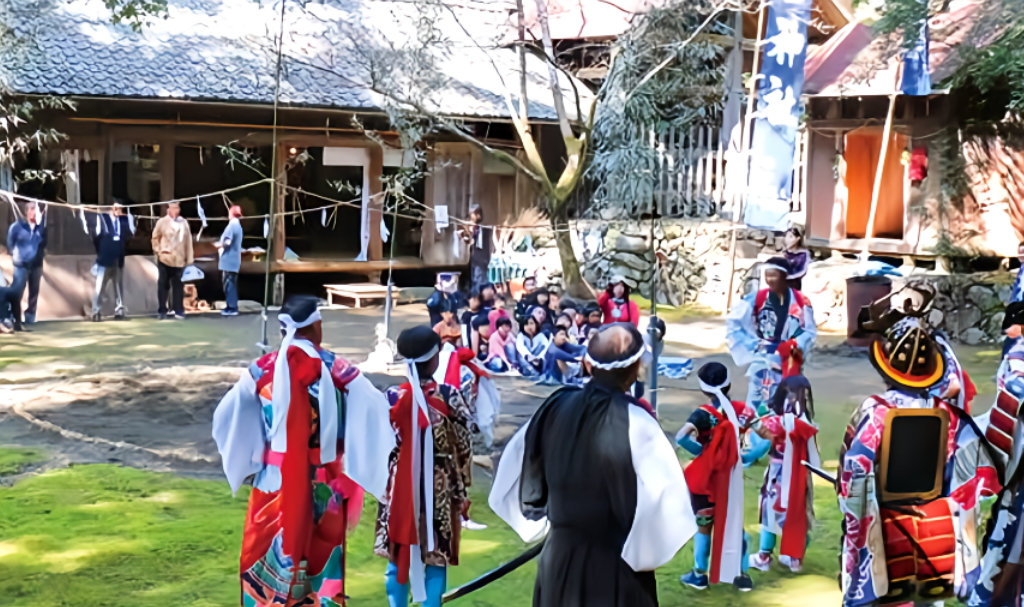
143 394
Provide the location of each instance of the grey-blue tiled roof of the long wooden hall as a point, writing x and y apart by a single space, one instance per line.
224 51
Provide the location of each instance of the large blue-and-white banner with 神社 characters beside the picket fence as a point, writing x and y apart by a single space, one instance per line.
782 83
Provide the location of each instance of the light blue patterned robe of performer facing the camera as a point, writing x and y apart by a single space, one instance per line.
755 334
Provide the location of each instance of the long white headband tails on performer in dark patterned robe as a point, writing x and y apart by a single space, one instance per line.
417 574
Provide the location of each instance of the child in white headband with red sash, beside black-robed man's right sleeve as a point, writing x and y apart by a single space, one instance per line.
714 435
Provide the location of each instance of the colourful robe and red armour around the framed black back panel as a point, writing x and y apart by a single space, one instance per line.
919 552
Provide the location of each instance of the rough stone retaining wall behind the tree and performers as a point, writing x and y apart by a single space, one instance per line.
697 263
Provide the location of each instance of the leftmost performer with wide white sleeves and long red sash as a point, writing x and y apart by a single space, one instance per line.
311 431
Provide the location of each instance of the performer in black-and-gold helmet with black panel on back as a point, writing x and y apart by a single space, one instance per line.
910 492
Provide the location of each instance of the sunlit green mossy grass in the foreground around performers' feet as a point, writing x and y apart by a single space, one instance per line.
117 537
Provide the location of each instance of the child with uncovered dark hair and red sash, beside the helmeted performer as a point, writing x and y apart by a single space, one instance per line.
788 495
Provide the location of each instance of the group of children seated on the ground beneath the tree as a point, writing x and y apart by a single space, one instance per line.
546 339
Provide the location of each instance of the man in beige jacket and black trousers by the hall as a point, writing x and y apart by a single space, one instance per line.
173 246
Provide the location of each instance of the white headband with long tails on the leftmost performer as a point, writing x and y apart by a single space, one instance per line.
282 394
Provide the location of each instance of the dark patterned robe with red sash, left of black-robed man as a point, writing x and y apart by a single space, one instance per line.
451 422
